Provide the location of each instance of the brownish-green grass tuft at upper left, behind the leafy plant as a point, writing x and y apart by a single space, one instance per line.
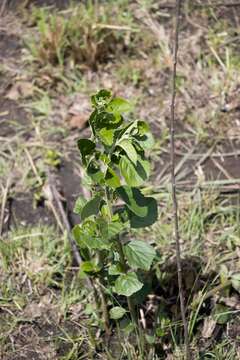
87 36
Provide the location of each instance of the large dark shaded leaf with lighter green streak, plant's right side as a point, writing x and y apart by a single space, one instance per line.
142 210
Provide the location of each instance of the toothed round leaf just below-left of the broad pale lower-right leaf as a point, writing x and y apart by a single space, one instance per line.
127 284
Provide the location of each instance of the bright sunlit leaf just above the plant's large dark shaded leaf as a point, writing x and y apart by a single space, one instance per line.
134 175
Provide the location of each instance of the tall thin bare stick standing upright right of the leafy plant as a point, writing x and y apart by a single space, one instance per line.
173 181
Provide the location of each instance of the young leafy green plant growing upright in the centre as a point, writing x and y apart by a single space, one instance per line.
116 166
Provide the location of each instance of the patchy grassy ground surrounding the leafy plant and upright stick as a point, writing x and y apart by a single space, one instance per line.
44 107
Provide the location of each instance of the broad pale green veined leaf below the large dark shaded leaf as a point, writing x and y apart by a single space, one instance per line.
139 254
